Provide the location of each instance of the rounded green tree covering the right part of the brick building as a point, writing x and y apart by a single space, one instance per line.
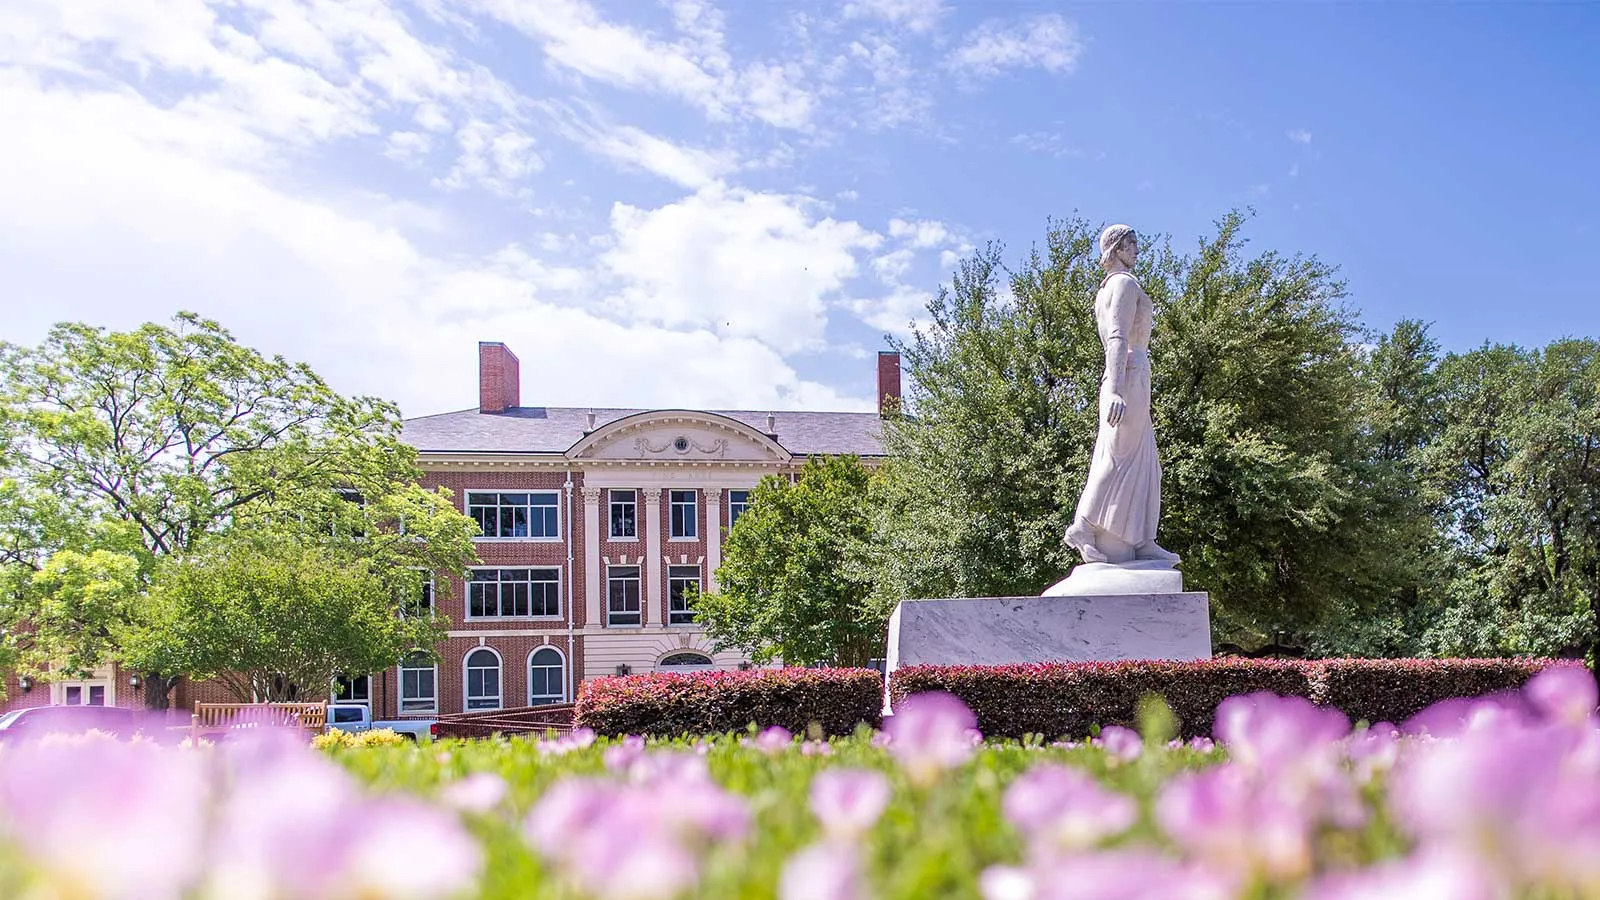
791 585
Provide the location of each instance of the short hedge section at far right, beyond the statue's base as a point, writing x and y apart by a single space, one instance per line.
1393 691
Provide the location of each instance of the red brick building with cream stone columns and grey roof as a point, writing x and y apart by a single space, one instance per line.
594 521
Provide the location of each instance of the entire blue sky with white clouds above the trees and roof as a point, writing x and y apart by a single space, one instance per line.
729 206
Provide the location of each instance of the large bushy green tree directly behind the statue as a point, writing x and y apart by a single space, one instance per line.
1271 488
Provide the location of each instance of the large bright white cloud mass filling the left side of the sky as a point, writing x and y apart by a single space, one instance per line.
119 209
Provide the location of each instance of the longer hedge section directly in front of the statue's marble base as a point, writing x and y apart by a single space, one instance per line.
1071 699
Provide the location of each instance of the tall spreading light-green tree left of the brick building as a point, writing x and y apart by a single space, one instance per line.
127 454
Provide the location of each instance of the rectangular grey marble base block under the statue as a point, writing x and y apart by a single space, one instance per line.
1050 630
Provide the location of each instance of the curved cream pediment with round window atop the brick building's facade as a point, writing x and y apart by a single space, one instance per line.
679 436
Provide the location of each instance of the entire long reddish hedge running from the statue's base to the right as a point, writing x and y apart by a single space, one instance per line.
1071 699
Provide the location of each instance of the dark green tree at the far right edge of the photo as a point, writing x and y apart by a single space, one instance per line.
1518 464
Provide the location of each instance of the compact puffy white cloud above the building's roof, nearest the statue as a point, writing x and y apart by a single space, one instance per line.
740 263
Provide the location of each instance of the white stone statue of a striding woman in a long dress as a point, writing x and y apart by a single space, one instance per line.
1122 502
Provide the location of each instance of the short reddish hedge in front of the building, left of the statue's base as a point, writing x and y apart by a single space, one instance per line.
713 702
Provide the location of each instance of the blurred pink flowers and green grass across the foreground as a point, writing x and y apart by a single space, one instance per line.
1487 798
